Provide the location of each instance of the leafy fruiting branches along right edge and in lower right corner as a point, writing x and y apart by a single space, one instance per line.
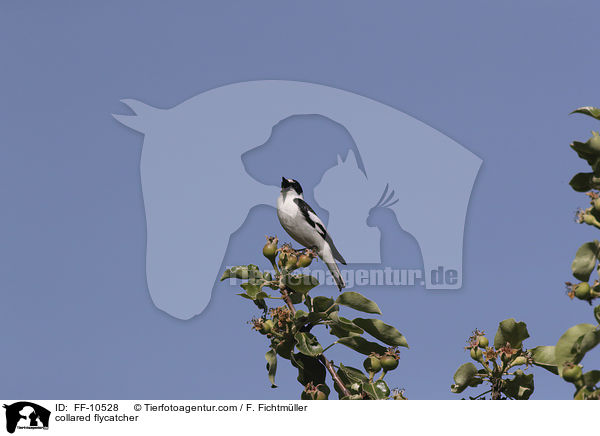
562 359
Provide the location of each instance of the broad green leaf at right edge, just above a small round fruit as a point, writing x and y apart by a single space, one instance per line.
574 343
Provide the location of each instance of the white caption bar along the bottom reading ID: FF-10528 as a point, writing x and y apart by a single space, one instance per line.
156 417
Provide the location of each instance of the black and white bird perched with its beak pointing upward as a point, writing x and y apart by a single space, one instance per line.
302 223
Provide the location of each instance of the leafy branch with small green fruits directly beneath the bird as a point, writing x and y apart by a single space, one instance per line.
290 330
